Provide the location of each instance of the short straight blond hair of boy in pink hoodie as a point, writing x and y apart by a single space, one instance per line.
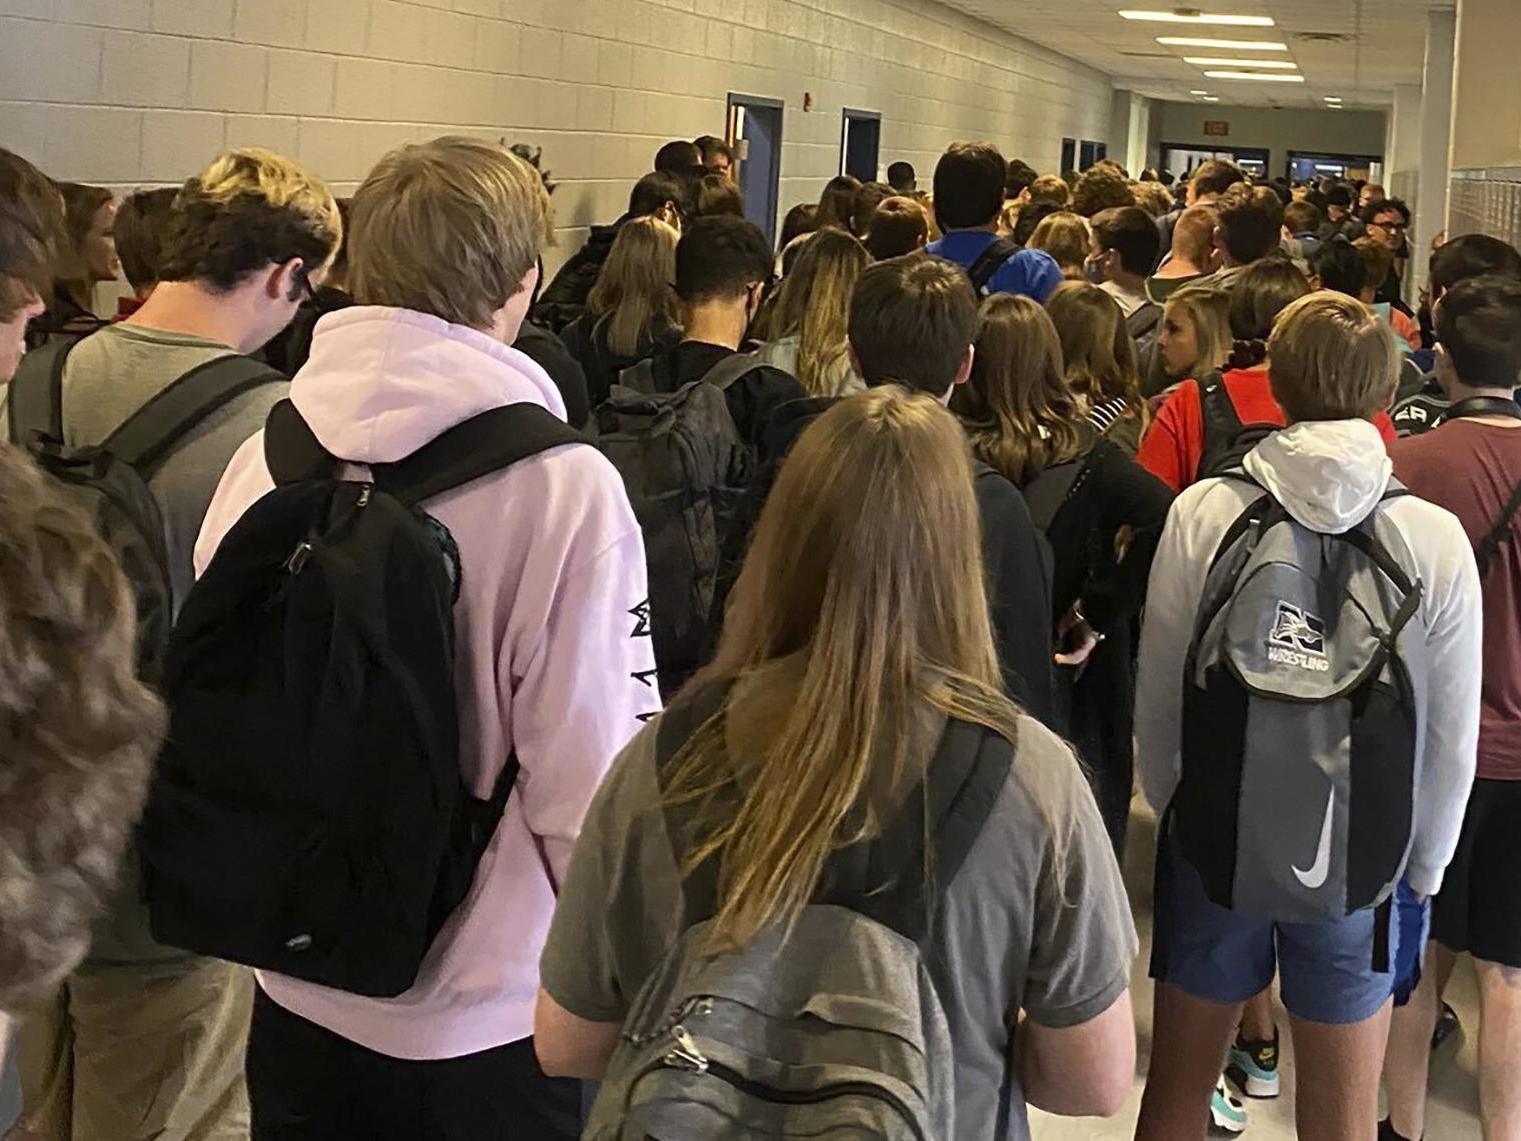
449 229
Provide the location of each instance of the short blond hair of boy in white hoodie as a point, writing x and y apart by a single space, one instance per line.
1333 358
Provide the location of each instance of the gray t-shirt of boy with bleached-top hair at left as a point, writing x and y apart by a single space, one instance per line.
107 378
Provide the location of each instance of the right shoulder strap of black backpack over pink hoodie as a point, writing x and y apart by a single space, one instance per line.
477 448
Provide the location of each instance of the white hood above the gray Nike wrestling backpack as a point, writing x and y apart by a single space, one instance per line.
1329 475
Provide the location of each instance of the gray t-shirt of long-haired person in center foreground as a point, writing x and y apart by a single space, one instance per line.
1014 933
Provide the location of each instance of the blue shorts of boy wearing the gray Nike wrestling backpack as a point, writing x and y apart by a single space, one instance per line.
1326 970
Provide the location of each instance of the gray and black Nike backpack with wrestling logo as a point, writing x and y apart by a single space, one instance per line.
1304 699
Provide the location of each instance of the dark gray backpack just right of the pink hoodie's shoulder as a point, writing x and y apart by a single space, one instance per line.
685 468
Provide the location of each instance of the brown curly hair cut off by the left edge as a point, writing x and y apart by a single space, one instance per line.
78 731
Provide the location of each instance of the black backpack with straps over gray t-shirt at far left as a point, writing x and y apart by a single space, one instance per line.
110 482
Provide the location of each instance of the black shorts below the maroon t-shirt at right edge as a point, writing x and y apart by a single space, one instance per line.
1479 907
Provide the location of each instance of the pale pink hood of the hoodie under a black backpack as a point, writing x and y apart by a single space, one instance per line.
383 383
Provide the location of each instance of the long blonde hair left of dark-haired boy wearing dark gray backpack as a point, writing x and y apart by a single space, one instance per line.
637 285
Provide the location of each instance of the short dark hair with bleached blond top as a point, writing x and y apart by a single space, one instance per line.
247 211
